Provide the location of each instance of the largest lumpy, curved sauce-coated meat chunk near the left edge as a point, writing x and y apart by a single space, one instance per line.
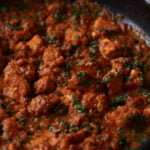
15 75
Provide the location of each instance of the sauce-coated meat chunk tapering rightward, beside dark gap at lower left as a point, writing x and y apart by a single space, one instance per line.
41 105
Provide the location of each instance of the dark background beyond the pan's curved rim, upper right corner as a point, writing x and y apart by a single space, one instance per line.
137 11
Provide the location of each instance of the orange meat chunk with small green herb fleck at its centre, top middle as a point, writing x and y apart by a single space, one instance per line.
76 36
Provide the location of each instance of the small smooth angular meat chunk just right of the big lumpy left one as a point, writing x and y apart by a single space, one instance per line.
44 84
